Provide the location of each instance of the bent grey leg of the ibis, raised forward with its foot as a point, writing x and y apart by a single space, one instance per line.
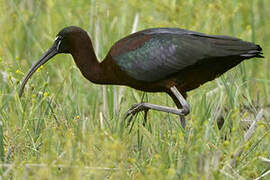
147 106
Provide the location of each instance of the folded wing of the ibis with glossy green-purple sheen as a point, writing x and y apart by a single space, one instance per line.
155 54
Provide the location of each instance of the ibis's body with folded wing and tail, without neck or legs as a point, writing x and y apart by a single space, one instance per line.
153 60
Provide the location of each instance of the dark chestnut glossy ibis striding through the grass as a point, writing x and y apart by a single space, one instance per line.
169 60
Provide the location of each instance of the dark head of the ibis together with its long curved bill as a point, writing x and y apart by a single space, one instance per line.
66 40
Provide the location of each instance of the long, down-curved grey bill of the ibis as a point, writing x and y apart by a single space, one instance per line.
44 58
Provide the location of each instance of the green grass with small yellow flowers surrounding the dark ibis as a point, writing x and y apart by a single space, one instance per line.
65 127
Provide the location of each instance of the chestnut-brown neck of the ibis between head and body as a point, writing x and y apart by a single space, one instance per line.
86 60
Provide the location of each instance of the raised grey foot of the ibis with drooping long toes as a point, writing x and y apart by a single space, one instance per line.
136 108
